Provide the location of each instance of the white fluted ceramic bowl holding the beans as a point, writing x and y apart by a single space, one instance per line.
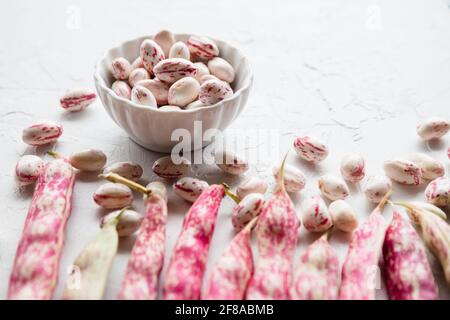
152 128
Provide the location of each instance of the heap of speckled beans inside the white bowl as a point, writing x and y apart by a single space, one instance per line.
174 75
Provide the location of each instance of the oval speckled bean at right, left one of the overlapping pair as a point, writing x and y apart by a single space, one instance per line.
403 171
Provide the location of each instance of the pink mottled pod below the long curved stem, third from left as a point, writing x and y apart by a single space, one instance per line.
147 257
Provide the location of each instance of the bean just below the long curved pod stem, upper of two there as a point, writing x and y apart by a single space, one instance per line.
113 196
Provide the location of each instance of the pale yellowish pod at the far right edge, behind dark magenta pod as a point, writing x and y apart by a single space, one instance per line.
435 231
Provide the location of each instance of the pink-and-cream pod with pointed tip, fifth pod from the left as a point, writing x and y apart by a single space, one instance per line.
231 273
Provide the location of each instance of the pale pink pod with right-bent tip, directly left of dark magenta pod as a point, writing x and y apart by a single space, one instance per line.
361 262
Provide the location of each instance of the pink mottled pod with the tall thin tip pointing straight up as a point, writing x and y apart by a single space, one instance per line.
277 234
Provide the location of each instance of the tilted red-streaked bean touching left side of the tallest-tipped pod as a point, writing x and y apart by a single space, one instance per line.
247 209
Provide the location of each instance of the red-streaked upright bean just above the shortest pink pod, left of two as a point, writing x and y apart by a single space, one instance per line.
315 215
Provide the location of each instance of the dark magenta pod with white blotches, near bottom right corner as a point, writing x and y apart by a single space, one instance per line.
408 273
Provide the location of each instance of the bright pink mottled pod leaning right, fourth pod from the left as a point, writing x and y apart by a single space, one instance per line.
186 268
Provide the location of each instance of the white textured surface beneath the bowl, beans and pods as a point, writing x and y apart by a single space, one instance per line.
360 74
